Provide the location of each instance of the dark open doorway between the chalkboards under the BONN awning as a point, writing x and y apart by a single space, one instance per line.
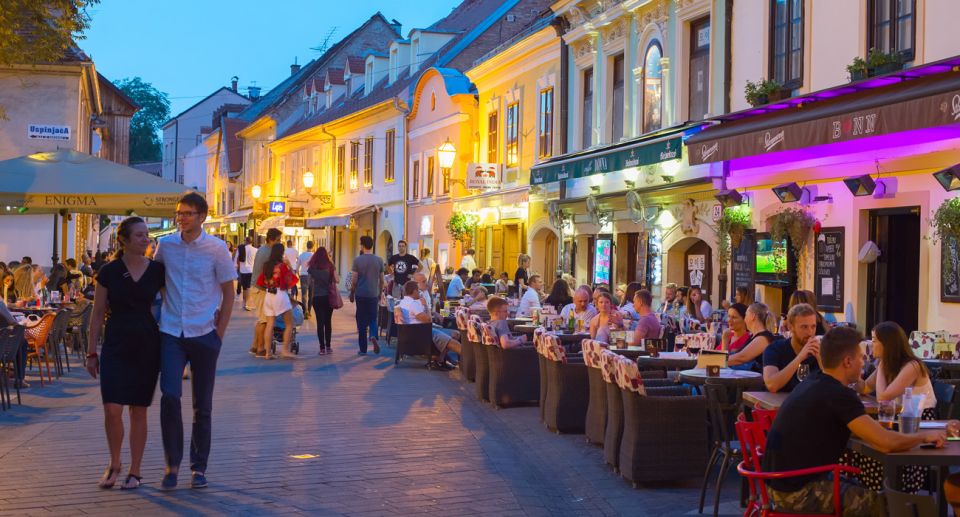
893 280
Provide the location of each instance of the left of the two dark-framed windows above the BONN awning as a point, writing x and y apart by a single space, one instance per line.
786 42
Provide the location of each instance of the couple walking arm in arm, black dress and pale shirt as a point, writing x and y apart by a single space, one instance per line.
195 273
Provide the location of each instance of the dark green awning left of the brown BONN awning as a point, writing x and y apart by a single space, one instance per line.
646 150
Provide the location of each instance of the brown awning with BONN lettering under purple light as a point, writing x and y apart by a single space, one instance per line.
903 106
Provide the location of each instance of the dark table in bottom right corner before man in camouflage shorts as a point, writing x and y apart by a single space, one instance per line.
941 459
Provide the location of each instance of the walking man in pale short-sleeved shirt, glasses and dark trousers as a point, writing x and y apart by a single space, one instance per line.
194 318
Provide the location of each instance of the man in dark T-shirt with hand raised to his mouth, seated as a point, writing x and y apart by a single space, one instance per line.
783 357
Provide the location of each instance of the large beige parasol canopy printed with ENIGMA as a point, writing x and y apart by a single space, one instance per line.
81 183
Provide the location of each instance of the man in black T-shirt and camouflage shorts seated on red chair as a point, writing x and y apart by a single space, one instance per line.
813 427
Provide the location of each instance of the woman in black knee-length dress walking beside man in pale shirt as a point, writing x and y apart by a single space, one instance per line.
130 357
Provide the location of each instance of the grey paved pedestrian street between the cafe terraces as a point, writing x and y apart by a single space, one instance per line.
324 435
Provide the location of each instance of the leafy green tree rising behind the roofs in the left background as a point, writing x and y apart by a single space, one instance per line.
145 126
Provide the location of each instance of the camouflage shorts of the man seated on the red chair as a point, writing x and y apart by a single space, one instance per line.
817 497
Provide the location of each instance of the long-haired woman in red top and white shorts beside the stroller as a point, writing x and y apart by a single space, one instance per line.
276 278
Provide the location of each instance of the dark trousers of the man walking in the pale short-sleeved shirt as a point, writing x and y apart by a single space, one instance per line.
175 352
